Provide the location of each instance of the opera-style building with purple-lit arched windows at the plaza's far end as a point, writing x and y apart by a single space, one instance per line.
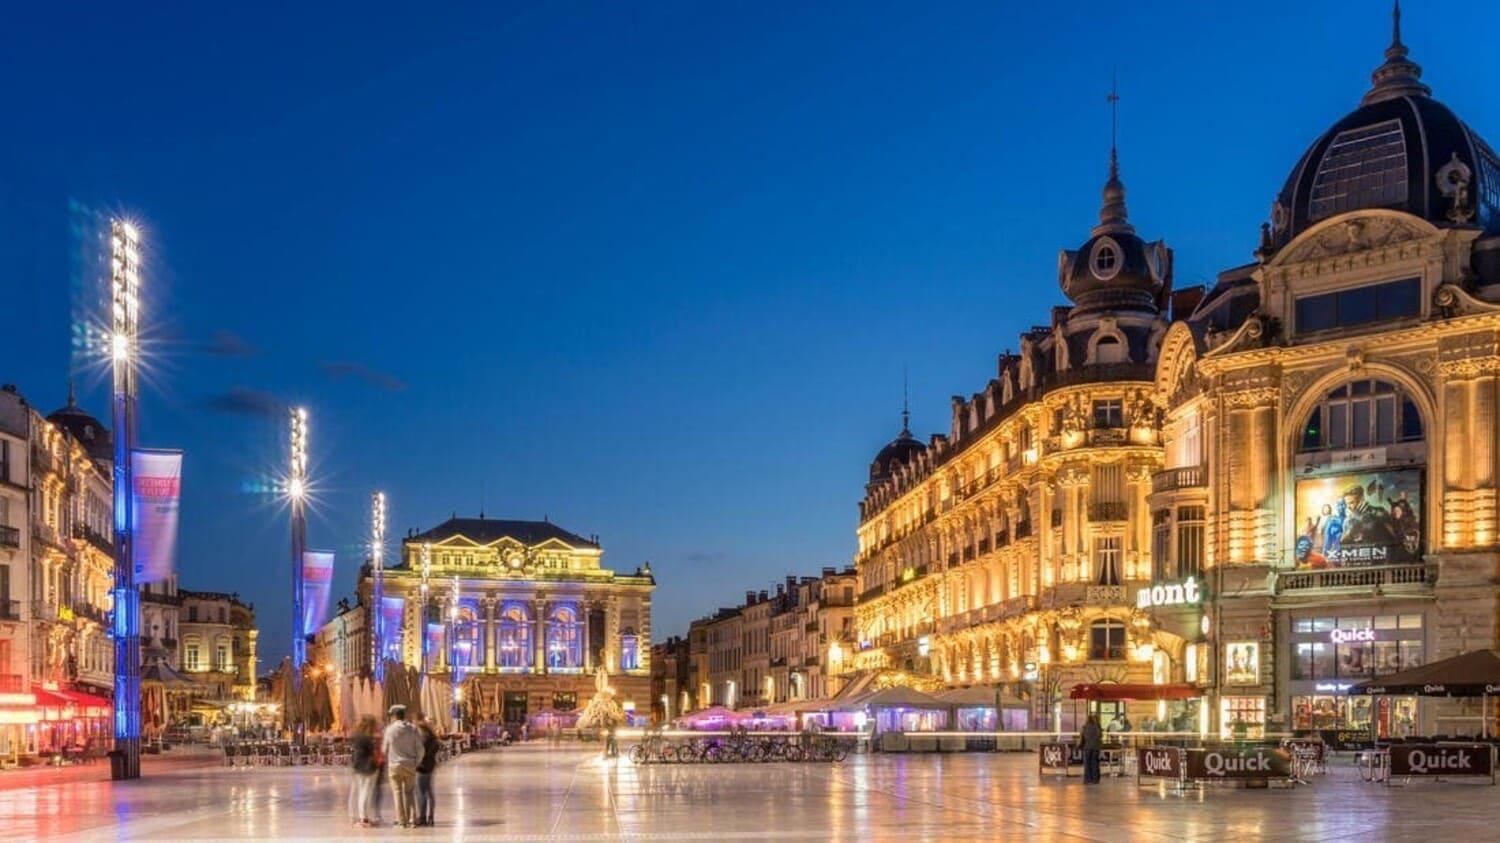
520 611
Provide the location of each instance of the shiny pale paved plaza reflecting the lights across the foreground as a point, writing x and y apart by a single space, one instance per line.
568 794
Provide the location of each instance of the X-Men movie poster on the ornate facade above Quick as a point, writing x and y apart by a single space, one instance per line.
1367 518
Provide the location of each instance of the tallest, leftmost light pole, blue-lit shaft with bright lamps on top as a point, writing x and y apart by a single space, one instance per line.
125 301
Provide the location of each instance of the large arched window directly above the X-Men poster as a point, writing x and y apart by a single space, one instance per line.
1363 415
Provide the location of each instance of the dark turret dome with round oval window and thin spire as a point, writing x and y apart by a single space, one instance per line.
1115 271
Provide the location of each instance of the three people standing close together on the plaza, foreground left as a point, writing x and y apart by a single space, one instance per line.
407 754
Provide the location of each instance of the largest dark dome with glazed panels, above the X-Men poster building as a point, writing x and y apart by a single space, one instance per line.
1400 149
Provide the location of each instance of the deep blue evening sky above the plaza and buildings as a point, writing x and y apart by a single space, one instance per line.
652 271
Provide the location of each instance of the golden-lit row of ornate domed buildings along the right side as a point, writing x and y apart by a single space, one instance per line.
1262 493
